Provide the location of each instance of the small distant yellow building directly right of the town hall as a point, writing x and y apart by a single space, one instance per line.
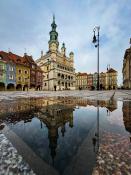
81 81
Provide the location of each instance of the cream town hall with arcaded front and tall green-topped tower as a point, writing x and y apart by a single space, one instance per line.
59 72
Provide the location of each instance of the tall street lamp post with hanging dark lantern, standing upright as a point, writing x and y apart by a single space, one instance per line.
96 42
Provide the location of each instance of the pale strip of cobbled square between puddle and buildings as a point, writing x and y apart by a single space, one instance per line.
97 95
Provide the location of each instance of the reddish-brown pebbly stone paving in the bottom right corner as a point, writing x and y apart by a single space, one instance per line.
114 155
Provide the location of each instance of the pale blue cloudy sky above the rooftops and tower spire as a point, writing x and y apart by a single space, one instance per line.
26 24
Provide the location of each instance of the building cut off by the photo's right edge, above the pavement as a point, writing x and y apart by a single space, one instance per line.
127 69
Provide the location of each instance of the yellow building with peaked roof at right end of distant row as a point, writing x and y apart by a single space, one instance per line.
111 79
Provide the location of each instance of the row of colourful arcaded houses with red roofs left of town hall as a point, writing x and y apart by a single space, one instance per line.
19 73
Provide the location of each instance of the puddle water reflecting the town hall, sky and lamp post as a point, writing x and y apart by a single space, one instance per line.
65 133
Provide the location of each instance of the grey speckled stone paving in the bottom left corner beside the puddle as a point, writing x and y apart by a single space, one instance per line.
11 163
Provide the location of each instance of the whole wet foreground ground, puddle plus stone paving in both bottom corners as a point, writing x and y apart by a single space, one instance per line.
66 135
